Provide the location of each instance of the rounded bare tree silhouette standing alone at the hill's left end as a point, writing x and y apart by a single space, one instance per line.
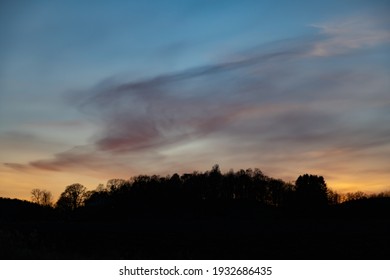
73 197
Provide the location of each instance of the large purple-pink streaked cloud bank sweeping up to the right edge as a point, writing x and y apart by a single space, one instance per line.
284 106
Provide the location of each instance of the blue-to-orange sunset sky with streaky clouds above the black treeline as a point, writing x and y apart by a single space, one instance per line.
95 90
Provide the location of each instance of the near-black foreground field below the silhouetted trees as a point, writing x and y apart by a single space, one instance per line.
342 233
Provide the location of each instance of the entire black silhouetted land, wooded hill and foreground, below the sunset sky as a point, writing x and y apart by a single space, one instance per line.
210 215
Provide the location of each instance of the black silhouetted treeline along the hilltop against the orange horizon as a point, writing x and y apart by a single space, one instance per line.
242 193
